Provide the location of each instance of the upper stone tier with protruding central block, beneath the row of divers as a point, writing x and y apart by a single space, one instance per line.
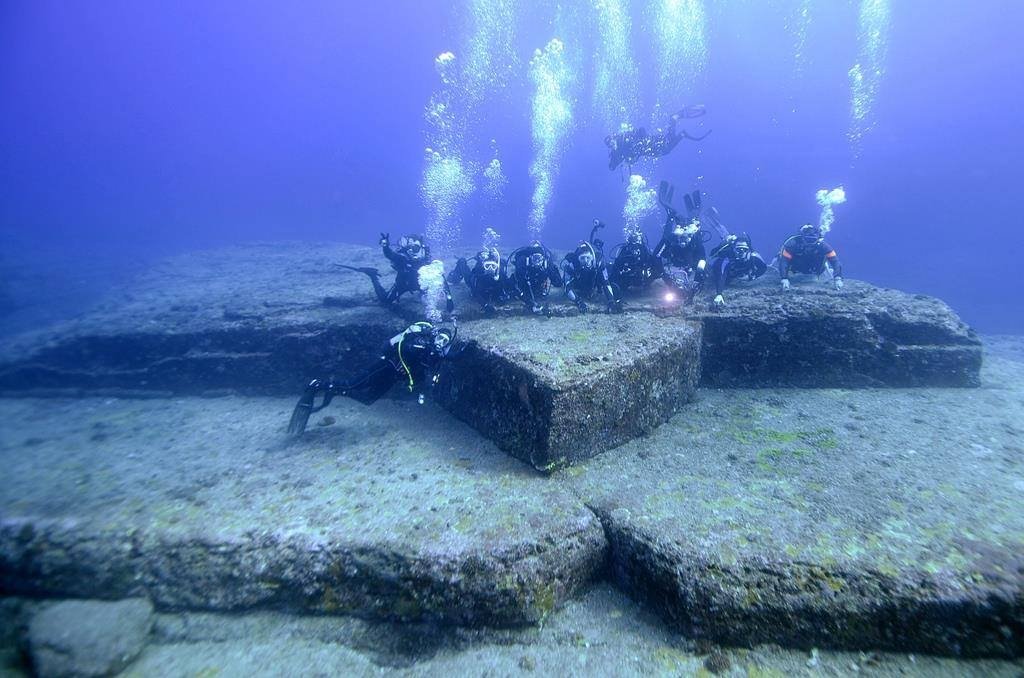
265 319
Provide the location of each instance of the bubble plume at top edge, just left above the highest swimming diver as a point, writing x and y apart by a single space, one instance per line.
616 77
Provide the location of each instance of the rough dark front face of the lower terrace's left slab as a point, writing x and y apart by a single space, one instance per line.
516 585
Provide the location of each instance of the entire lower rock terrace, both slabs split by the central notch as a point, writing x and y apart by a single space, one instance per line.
857 520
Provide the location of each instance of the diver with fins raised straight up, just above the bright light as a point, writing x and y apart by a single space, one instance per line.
682 247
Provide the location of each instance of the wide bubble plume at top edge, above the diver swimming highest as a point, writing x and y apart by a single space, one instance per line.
681 48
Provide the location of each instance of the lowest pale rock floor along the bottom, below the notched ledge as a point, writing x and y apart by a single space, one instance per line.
602 633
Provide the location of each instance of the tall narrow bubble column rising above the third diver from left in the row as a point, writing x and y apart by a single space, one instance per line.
552 116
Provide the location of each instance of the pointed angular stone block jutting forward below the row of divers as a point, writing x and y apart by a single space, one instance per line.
561 391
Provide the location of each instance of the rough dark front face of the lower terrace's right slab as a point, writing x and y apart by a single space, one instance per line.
807 605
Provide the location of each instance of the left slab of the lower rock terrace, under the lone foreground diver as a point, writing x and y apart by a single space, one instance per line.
395 513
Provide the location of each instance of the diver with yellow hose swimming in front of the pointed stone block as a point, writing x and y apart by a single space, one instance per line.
415 356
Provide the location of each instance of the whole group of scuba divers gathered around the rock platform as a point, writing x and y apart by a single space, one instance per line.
587 275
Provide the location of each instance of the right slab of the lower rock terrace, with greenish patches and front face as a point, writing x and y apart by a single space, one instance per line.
878 519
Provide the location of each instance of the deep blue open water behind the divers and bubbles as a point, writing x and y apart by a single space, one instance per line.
131 131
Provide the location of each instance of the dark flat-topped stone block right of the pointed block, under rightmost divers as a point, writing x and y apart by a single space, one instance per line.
815 337
